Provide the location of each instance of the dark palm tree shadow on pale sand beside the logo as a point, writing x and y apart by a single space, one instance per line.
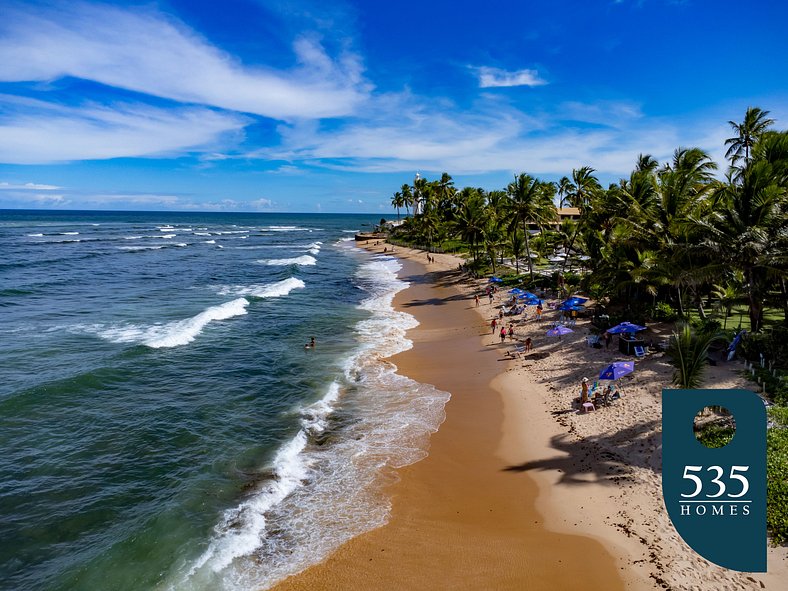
601 459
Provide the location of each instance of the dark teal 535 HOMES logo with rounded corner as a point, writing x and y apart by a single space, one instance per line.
716 497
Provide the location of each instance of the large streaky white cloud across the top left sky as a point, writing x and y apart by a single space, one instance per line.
147 52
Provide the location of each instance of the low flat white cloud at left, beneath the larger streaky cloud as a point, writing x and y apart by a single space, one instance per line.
38 132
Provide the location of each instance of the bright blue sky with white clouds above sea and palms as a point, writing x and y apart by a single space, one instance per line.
267 105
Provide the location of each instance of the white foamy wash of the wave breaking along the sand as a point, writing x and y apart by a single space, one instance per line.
327 482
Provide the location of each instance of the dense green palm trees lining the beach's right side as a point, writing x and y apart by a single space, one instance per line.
669 242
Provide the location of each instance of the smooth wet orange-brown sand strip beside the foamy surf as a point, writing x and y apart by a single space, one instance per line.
461 518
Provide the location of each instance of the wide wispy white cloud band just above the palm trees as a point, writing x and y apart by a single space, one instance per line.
407 135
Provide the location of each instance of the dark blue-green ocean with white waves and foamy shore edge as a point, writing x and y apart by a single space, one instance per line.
162 425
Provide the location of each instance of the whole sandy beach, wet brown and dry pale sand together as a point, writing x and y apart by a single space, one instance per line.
518 491
